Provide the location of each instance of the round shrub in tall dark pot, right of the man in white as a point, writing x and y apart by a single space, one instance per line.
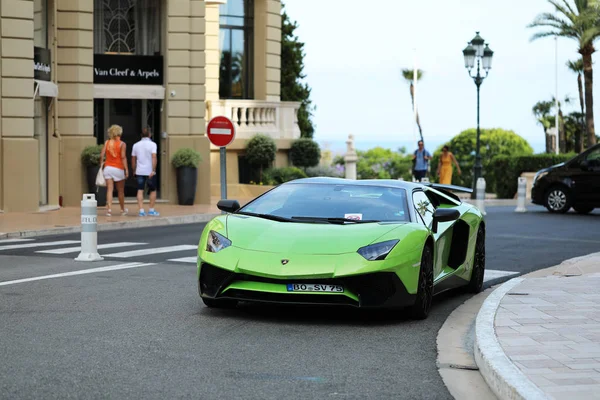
186 162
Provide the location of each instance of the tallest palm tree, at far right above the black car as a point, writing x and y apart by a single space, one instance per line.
580 23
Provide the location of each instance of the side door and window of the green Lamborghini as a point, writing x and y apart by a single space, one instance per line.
425 208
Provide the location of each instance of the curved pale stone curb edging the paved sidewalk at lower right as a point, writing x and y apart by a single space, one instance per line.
499 372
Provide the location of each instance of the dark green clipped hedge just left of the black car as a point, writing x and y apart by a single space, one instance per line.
507 169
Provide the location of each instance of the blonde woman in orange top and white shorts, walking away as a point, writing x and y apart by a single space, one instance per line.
115 169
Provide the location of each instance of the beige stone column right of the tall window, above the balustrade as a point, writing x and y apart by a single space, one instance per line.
267 53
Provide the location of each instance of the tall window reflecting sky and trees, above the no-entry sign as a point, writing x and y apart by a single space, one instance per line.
237 46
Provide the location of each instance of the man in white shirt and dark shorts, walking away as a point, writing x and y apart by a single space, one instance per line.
143 160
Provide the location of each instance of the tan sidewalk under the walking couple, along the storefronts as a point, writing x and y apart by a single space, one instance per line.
68 219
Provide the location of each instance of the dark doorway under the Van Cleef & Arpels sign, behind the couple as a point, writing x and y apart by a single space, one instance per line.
132 115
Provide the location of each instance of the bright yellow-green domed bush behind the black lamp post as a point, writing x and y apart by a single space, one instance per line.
494 142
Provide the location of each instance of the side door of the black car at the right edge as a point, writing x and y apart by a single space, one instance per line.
586 181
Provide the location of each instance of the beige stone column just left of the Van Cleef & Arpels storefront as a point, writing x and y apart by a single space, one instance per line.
75 60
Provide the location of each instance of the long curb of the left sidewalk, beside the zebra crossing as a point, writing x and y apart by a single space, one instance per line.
111 226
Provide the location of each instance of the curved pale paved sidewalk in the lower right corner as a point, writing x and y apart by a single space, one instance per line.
538 336
